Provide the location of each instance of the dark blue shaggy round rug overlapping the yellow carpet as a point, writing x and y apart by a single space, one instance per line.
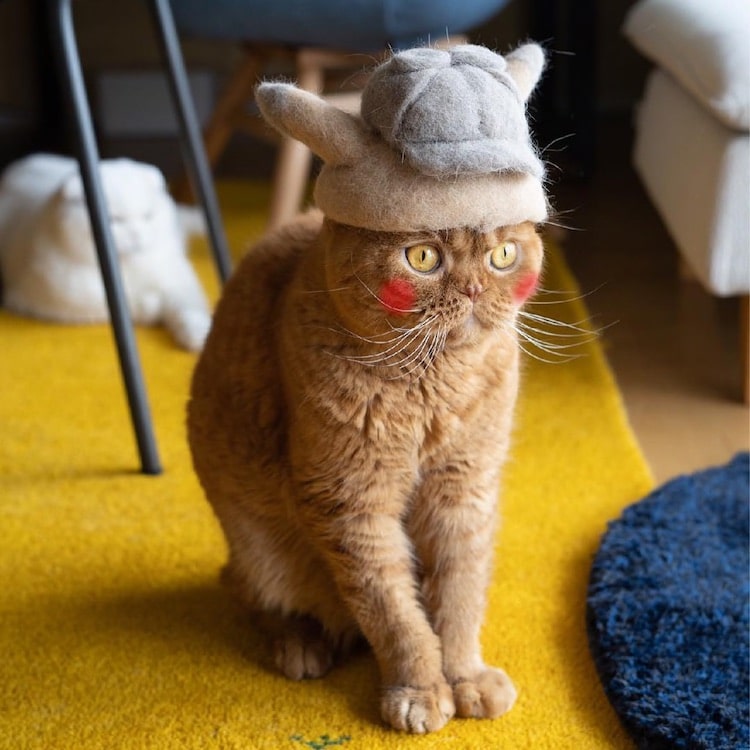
668 612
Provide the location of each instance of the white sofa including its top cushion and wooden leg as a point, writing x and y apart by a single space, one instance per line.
692 143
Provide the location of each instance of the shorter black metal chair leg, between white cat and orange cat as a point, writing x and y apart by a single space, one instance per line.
192 141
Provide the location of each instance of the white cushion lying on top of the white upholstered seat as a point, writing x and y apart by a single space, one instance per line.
704 45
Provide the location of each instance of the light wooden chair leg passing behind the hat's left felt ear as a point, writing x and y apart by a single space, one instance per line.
294 159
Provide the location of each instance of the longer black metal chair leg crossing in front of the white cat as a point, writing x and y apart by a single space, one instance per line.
64 40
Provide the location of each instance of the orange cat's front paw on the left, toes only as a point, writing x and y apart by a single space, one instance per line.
417 710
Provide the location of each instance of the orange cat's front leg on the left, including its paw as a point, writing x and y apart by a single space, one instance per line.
371 560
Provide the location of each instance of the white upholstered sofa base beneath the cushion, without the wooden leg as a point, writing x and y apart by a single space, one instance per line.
697 173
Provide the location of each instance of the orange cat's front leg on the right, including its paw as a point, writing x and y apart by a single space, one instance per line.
453 524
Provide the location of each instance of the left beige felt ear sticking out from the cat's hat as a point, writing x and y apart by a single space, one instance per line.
334 135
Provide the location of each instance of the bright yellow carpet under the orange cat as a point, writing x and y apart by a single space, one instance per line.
114 632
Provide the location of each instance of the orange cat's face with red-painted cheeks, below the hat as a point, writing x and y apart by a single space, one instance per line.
457 284
